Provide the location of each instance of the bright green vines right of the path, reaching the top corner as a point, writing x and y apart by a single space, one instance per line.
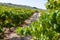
47 27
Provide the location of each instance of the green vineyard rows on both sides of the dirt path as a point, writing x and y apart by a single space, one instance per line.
47 27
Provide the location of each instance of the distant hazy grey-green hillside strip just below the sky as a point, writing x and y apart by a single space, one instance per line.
19 6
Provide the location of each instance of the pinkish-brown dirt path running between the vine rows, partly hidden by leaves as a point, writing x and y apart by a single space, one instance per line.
13 36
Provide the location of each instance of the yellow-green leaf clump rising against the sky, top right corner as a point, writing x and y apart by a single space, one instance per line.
53 4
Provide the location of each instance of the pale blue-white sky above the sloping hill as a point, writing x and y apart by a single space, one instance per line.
32 3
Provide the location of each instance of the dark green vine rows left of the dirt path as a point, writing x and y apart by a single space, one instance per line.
12 17
